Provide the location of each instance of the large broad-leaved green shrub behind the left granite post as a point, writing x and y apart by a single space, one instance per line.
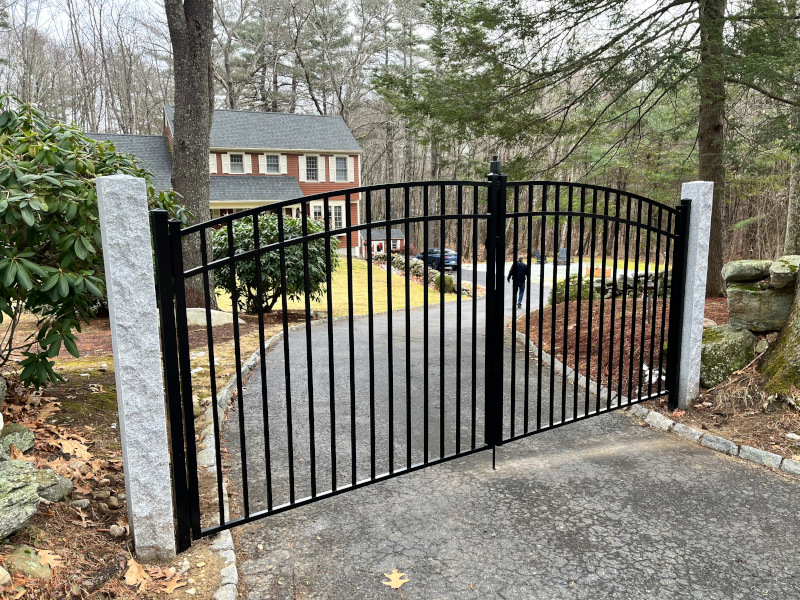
51 264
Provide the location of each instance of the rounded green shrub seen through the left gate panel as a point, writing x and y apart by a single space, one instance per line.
246 291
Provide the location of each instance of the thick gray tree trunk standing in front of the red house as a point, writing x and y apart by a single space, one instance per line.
191 33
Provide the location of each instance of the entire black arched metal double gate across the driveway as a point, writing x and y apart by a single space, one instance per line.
375 372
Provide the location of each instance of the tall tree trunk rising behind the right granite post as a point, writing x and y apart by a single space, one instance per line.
711 133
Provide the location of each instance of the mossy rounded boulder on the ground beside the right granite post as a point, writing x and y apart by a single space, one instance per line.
725 349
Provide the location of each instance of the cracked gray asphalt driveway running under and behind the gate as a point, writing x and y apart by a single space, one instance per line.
603 508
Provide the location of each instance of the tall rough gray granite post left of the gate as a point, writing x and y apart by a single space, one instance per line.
127 254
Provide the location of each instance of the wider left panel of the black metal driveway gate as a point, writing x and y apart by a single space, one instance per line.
345 401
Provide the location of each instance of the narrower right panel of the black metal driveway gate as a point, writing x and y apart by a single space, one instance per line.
591 333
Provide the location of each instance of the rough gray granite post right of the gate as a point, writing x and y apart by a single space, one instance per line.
701 193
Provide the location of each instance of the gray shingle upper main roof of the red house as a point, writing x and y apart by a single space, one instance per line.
277 131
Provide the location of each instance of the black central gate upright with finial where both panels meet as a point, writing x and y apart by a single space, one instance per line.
495 293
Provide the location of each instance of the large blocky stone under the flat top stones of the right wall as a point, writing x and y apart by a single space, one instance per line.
757 307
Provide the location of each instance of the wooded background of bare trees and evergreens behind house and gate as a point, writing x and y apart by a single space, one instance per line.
609 93
